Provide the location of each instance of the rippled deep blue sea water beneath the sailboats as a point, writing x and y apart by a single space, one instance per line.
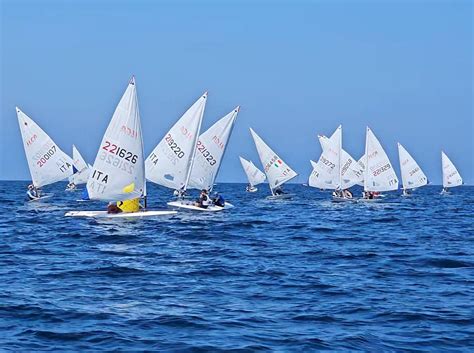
298 276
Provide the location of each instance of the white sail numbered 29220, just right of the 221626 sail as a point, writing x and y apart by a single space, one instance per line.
170 163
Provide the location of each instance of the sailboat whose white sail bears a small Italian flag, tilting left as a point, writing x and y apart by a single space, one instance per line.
276 170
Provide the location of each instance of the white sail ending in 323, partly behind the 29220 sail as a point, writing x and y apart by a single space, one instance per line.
210 149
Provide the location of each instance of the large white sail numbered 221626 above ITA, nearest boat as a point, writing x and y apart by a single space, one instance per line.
118 171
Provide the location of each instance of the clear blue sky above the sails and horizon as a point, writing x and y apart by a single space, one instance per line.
297 68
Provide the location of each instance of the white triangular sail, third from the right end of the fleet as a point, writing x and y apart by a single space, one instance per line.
379 173
